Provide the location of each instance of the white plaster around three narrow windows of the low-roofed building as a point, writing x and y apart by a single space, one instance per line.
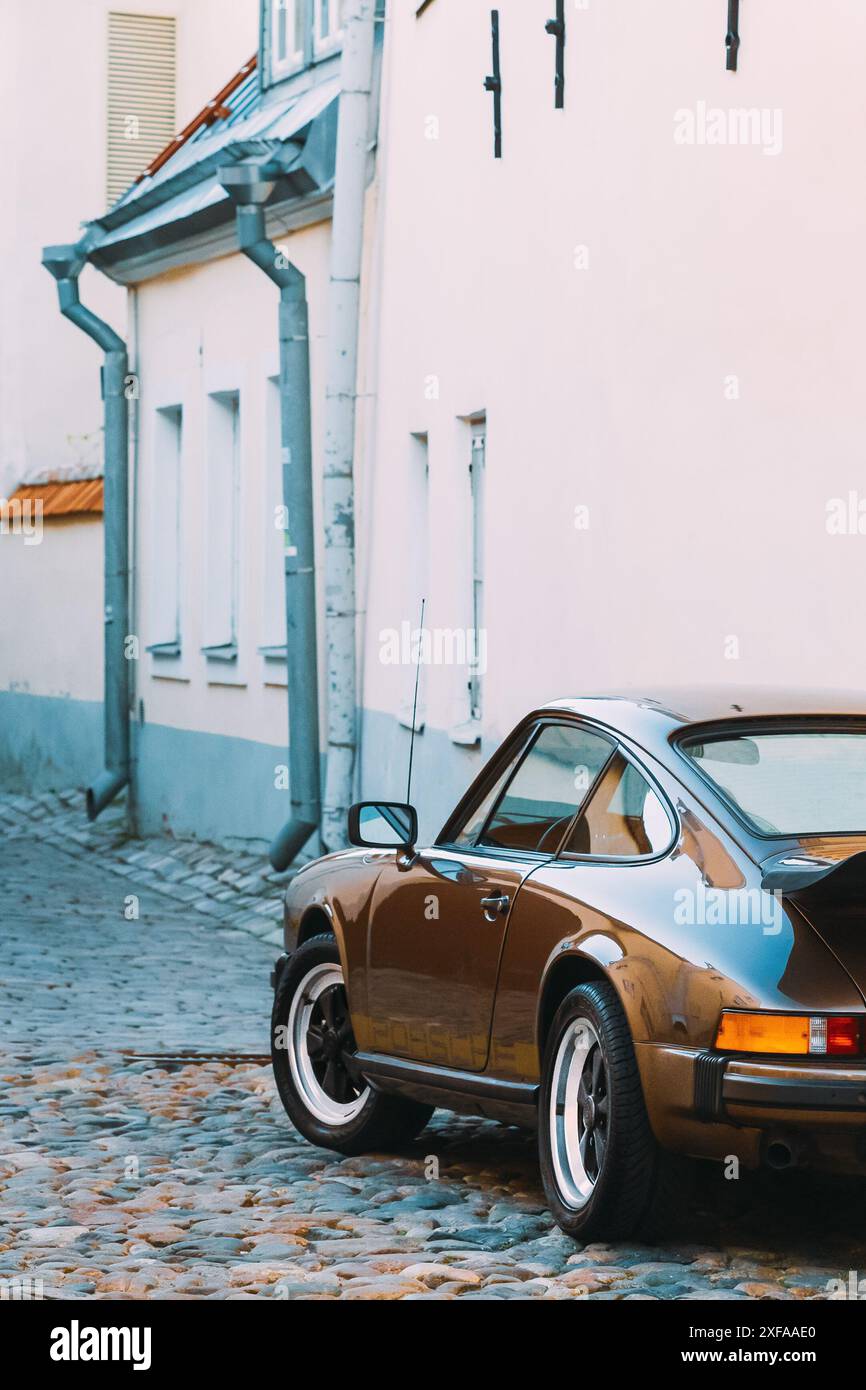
206 330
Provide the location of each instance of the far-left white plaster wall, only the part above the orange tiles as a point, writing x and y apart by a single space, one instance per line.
54 154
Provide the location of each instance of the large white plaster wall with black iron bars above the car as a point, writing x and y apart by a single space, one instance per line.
607 387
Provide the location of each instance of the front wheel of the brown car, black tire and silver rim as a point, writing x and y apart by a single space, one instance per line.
313 1086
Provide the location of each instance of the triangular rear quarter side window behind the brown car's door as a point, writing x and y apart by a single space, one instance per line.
623 819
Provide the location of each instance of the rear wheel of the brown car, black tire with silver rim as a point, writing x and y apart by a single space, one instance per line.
639 1188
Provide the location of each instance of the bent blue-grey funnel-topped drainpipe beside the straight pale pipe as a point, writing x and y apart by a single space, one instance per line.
251 186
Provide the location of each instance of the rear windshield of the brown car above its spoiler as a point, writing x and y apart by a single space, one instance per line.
790 783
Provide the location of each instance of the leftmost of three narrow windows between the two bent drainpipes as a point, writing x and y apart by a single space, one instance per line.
166 550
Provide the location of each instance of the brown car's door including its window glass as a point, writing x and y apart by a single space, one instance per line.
439 924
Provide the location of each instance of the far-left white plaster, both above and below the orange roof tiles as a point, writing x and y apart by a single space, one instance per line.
54 155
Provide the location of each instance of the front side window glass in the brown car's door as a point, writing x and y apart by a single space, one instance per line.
547 790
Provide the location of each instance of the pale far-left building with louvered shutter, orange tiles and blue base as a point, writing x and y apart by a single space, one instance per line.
115 83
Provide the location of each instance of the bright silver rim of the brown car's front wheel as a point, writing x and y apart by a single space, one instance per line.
311 1072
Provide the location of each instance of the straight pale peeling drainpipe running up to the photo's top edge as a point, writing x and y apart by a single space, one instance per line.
341 393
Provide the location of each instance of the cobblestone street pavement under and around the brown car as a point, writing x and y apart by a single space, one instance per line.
138 1178
